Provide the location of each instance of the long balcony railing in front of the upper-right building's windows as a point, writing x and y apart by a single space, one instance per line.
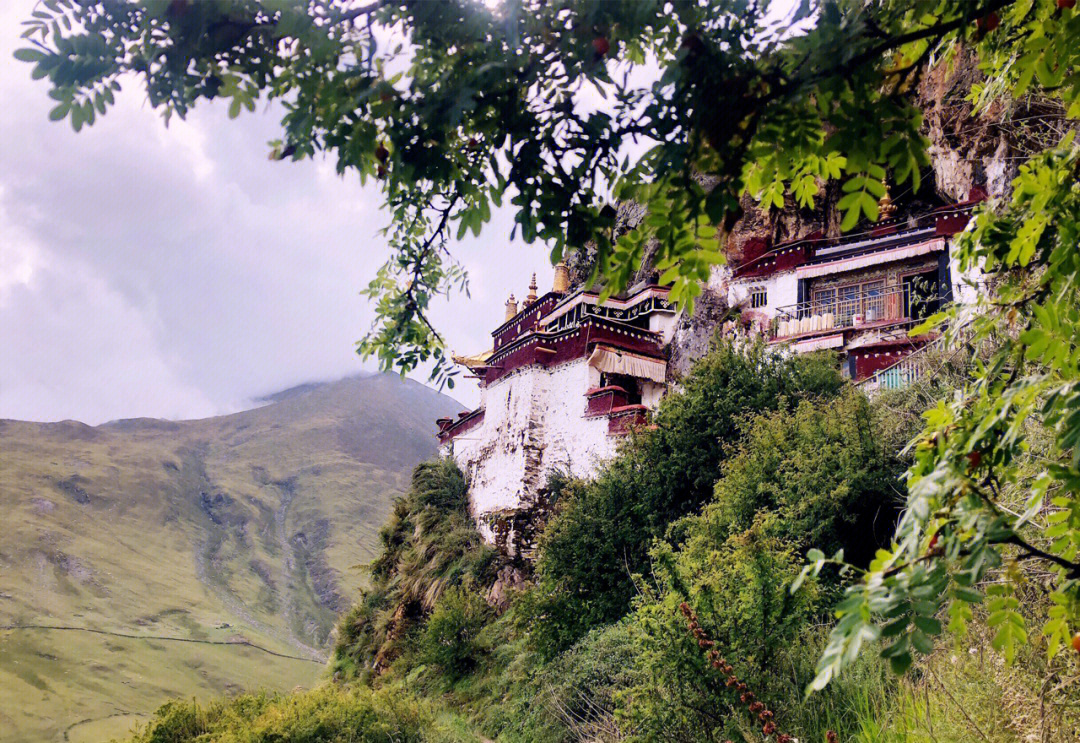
845 309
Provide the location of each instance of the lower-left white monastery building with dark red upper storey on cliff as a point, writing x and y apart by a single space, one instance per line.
566 379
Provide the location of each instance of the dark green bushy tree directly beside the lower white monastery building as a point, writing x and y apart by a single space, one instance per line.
602 535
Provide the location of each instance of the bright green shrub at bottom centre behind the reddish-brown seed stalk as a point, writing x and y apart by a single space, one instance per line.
739 588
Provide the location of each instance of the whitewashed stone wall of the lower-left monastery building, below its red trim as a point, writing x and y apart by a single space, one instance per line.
533 424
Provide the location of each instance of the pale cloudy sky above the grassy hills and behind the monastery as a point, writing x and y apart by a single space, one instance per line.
177 273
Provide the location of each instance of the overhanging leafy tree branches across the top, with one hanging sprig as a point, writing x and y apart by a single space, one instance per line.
457 105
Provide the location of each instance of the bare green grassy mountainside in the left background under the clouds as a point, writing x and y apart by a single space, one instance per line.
239 533
